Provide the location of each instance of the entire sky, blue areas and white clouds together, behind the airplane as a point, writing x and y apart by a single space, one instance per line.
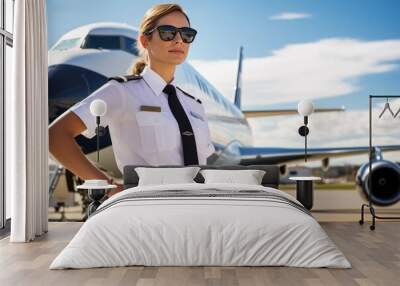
333 52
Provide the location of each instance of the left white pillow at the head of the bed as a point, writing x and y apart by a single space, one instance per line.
162 176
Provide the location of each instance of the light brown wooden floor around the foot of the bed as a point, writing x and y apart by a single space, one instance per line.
374 255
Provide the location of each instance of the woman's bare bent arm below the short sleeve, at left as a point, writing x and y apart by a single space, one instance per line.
63 147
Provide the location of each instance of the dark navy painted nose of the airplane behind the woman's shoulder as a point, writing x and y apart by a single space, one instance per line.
69 84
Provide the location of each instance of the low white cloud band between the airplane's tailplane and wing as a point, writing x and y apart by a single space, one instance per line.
341 129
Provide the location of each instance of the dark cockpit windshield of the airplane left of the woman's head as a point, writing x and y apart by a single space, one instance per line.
110 42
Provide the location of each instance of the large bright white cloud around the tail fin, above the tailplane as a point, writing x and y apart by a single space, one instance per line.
325 68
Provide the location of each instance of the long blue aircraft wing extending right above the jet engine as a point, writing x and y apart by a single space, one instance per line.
274 155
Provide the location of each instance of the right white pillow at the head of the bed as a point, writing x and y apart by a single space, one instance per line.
249 177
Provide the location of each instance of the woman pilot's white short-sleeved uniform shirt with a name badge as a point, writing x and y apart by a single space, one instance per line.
145 137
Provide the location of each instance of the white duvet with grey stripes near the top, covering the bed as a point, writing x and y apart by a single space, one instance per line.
190 230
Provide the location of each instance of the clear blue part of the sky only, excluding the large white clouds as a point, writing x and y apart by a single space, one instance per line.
225 25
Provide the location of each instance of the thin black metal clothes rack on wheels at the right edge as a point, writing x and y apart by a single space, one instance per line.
370 204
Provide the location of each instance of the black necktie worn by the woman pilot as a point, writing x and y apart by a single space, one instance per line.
187 135
